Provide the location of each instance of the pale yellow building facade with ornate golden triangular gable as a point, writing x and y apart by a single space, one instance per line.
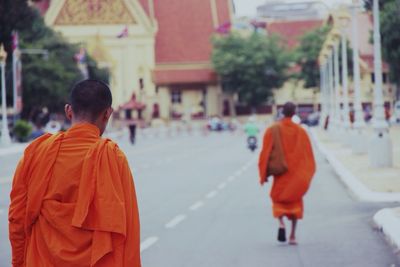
118 34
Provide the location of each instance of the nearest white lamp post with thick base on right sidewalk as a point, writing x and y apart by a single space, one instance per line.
380 152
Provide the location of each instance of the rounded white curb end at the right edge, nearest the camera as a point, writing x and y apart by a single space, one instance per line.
388 222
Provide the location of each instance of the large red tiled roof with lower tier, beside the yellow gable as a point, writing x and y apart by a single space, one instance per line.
184 36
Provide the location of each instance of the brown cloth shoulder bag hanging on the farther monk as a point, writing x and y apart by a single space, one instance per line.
277 164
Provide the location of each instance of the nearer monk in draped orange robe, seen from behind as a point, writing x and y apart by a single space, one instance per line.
73 201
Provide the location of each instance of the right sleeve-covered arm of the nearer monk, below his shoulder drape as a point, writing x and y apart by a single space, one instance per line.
132 258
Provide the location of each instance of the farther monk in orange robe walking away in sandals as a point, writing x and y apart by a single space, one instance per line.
288 188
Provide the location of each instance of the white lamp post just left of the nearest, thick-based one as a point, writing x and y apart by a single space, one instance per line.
359 145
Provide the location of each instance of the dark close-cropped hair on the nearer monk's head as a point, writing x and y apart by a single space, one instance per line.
89 98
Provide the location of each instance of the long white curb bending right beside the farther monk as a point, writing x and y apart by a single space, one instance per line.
362 192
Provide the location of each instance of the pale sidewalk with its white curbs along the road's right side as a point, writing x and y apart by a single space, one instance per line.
367 183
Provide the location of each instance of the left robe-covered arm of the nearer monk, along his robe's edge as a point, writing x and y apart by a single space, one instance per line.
16 216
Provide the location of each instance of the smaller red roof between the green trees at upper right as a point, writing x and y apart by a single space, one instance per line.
291 31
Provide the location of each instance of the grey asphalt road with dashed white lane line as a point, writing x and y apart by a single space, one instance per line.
201 205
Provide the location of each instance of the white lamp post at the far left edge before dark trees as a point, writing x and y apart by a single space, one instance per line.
5 135
